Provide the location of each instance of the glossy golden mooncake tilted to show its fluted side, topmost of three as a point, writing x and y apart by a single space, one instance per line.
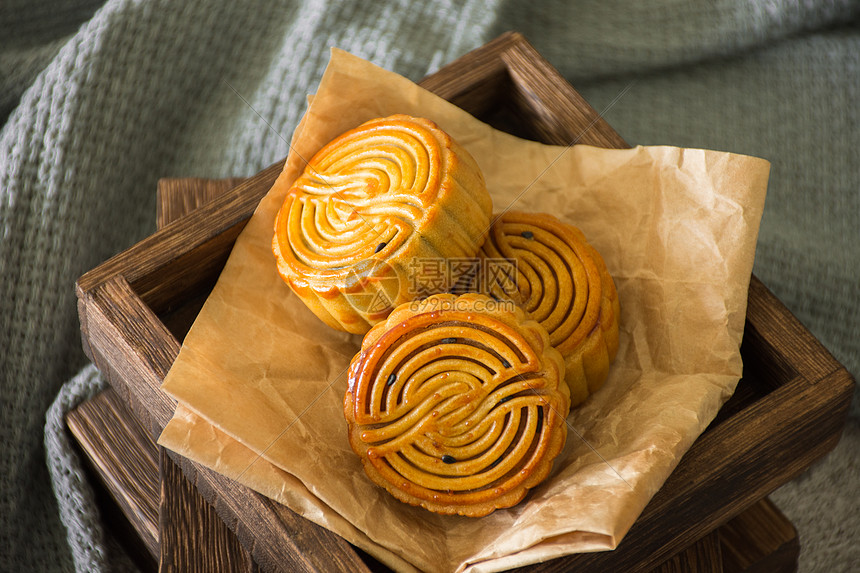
371 203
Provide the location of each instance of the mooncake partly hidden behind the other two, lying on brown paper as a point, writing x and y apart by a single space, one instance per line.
563 283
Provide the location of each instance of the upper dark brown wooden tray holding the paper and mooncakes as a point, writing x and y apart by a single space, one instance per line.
788 411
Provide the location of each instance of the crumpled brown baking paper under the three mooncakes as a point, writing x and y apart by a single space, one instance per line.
260 379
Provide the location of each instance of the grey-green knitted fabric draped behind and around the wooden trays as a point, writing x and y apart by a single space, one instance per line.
99 102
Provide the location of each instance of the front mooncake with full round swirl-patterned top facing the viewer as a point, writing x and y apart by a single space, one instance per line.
457 404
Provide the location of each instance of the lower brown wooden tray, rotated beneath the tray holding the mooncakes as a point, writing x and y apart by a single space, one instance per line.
165 516
